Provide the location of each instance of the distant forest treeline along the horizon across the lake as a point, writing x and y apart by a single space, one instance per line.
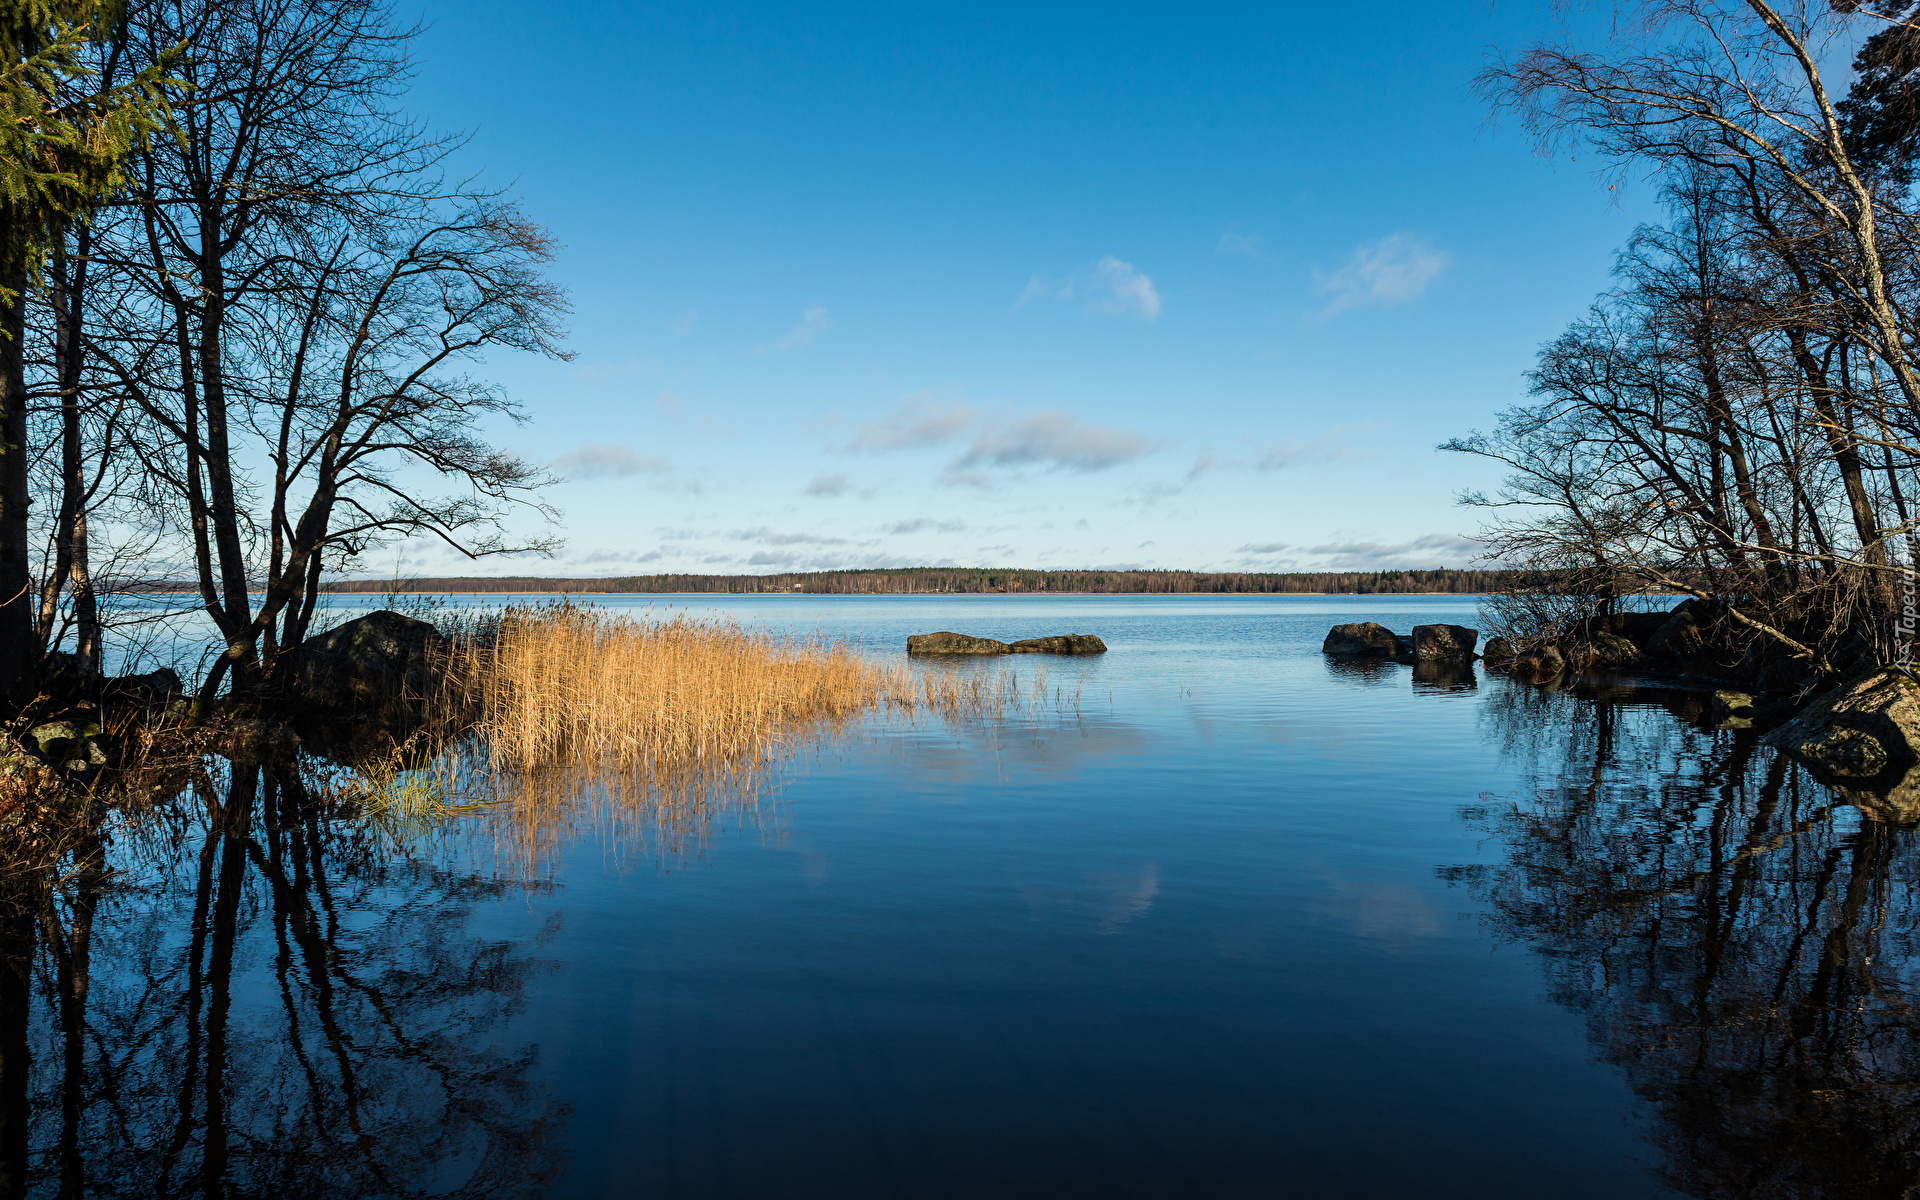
940 581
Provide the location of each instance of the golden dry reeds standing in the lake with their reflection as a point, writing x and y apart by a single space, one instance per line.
661 725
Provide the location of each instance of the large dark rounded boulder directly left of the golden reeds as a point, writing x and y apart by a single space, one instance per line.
381 661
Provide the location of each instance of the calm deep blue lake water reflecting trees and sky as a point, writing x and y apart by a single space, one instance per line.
1205 917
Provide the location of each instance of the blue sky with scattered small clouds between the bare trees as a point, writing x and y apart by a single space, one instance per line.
1191 287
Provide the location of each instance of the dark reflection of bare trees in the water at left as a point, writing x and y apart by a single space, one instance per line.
264 1001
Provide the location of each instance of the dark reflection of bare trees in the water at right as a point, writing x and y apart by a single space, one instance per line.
1739 938
